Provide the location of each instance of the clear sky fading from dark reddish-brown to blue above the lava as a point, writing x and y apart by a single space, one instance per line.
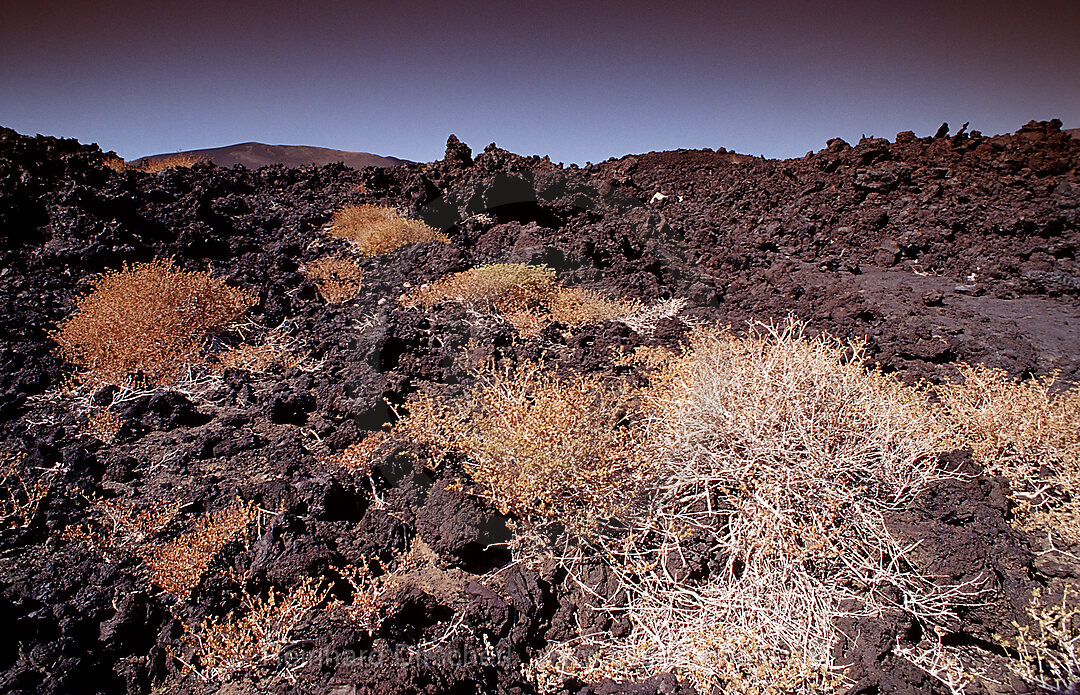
575 81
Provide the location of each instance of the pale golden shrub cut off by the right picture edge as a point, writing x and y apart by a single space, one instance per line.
1029 432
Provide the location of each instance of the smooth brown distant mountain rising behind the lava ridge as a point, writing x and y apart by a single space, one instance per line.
256 155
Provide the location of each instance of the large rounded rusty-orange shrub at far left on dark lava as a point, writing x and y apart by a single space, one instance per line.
147 319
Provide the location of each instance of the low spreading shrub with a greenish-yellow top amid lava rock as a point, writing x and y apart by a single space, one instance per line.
529 297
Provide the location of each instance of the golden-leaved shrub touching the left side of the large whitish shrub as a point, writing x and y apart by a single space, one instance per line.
544 447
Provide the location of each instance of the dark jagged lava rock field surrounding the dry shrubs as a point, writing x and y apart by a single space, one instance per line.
938 252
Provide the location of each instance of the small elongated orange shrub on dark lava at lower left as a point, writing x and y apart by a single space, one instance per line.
179 565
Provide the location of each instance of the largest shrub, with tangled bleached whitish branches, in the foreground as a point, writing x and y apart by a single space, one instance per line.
782 454
